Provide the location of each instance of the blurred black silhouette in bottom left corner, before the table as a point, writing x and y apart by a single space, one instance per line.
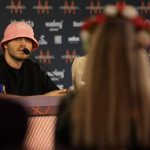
13 125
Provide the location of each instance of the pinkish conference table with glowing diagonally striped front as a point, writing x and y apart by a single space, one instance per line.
42 118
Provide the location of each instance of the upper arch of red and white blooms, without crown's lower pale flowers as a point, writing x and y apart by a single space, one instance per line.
126 11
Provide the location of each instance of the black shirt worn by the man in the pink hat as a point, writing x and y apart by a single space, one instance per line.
28 80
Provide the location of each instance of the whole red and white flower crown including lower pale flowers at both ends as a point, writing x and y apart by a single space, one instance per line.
127 12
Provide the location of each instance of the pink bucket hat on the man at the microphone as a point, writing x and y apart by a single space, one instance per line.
19 29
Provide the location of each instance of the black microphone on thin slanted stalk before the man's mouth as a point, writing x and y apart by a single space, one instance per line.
27 52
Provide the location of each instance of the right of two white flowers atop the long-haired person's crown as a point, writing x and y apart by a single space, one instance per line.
129 12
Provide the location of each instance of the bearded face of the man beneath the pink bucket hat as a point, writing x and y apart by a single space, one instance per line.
14 48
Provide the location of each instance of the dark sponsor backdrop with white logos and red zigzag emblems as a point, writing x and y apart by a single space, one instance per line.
57 24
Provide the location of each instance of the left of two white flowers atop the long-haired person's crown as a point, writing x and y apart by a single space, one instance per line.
111 10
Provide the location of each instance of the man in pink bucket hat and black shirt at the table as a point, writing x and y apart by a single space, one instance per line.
18 74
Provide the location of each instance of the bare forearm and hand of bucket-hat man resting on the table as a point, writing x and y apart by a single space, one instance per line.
61 92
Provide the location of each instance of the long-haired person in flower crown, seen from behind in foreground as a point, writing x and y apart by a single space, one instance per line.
112 111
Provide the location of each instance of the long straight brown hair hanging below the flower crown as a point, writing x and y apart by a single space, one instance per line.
114 105
